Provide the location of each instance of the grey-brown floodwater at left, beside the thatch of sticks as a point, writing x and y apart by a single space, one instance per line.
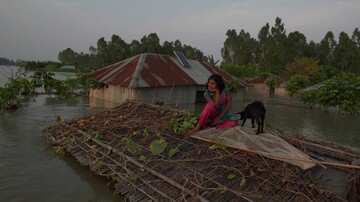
29 172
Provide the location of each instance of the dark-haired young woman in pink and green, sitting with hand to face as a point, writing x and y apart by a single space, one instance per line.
216 111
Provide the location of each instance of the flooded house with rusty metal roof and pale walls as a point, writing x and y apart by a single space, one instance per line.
158 78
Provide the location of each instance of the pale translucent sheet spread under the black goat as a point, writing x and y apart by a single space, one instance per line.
265 144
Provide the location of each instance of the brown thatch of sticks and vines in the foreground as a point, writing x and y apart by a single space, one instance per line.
117 144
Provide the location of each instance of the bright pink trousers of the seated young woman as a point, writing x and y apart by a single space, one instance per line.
210 112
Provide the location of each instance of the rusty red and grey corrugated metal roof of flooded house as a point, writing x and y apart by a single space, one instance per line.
150 70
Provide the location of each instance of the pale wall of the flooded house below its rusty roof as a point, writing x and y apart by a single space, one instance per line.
168 95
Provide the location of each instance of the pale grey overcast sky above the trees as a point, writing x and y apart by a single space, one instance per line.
39 29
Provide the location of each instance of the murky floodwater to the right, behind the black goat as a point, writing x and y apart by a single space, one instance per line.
291 115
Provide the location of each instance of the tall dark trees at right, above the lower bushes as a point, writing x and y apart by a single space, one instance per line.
273 49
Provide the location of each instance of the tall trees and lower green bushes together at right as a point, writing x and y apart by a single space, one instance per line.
324 74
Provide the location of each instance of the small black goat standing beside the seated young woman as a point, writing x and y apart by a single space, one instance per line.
255 110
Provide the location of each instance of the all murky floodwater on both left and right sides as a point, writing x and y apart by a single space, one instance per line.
30 172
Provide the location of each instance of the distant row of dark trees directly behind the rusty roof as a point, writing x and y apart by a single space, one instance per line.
115 50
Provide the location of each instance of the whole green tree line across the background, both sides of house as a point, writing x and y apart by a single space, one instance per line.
274 55
